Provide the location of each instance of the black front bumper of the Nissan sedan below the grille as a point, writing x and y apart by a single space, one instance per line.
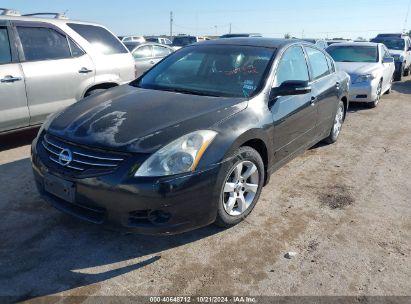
145 205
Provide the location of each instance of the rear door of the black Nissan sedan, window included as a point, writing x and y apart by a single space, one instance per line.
325 88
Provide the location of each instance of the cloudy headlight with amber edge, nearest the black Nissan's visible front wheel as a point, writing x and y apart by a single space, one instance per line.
180 156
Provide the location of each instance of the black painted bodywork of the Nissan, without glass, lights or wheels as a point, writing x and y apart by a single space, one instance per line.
278 128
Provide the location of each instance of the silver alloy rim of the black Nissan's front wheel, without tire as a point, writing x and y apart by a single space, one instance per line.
240 188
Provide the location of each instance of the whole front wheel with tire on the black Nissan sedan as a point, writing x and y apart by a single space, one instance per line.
235 202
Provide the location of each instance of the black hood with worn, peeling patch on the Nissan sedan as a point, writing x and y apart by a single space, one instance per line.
131 119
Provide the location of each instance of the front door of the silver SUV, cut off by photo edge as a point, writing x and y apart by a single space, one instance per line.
14 112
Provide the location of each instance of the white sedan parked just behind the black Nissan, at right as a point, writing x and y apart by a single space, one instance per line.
370 67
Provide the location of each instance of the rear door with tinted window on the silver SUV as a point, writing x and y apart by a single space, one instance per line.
57 70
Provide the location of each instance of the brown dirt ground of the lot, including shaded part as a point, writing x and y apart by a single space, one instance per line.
345 209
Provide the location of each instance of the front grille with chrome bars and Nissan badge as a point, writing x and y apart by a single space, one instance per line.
83 158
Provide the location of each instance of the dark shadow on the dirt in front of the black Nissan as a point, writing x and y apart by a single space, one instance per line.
44 251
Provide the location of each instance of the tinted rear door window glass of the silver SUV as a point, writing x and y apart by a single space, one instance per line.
40 43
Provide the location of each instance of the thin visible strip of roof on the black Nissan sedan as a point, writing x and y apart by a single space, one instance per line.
252 41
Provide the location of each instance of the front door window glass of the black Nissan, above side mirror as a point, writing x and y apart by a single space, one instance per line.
292 66
